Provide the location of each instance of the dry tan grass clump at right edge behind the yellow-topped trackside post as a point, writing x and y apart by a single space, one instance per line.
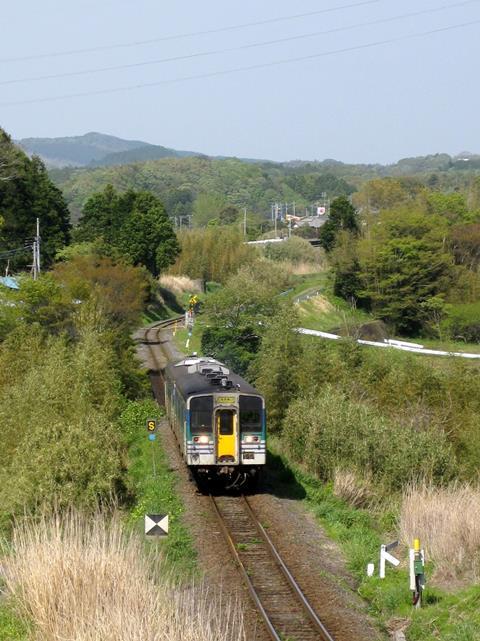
447 522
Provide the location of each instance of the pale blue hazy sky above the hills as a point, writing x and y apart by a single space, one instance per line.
324 89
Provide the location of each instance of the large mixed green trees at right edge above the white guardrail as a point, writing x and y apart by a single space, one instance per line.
412 258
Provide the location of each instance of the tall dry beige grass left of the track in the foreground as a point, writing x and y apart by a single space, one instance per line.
84 579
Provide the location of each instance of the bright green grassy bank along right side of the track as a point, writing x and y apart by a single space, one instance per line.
446 615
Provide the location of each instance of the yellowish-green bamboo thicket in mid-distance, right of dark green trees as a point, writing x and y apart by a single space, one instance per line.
213 253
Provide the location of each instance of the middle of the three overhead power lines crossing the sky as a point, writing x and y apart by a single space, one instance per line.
237 48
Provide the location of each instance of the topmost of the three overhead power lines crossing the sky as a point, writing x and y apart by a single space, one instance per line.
191 34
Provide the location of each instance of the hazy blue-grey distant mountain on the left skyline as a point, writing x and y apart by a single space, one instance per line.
94 149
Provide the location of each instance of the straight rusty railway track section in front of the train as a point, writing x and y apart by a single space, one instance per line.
280 601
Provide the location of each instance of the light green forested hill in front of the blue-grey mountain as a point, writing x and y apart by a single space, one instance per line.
187 183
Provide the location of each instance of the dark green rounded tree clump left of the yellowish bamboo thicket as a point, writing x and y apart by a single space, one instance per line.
135 223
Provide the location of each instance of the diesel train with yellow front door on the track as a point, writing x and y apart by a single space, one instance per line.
218 419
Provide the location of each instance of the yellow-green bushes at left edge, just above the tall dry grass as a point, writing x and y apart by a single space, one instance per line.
59 407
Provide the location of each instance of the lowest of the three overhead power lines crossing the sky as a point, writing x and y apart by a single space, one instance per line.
226 72
